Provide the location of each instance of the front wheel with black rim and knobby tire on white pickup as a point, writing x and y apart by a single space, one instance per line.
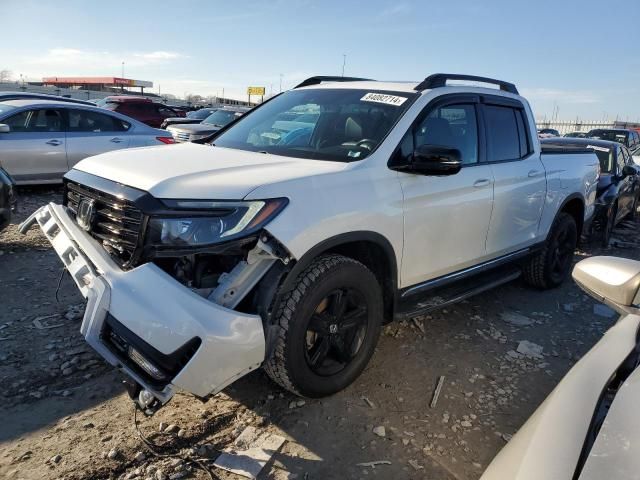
312 341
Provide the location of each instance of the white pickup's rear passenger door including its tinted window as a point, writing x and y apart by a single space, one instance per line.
520 181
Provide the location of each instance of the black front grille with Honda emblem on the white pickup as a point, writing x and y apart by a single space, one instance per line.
117 223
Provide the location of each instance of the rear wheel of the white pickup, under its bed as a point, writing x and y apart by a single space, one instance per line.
551 266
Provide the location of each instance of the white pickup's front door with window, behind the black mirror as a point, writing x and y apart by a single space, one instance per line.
446 218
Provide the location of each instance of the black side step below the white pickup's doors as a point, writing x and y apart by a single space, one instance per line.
454 293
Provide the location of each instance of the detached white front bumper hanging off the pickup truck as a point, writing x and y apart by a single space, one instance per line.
157 309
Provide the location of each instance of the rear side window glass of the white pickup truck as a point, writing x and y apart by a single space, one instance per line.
503 139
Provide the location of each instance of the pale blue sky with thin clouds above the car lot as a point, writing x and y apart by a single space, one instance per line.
571 59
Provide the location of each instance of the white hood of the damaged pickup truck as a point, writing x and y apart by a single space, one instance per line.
195 171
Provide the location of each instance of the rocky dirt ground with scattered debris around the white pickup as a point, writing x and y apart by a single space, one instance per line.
64 412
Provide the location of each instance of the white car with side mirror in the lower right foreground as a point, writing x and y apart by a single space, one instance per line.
588 427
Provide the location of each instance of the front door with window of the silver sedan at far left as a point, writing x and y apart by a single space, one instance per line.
34 150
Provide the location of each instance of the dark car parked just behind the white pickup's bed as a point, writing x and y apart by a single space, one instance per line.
618 184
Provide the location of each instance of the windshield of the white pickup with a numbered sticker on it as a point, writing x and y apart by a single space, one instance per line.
322 124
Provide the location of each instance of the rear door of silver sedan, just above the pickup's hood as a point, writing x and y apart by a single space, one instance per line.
91 133
